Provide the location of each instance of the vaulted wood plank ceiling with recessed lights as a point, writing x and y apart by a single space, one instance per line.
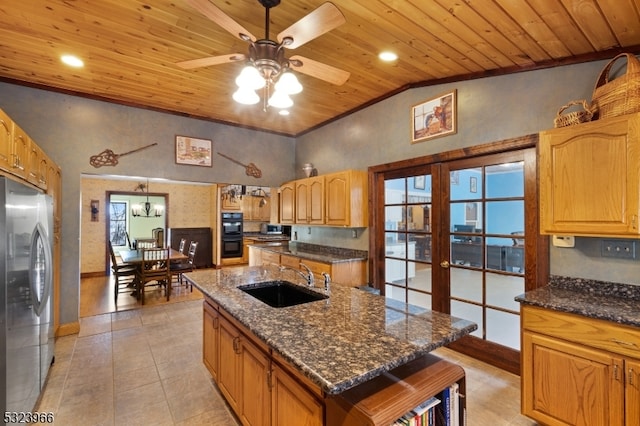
130 48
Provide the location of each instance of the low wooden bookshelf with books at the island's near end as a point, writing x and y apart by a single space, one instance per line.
427 391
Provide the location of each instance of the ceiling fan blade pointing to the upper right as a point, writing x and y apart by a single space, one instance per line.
322 20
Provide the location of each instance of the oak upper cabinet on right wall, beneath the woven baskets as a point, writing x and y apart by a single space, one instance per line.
589 182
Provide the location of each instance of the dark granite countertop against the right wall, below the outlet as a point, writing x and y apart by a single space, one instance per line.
614 302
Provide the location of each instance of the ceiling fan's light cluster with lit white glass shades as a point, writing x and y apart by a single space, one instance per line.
267 69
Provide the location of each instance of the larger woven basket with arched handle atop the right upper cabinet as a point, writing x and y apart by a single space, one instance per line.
619 96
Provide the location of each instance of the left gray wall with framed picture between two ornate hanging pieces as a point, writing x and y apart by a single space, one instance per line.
72 129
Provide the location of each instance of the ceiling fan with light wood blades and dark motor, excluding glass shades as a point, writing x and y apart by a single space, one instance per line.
266 55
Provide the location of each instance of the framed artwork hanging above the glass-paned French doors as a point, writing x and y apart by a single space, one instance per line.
434 117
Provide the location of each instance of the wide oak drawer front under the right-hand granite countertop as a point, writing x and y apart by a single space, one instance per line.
616 338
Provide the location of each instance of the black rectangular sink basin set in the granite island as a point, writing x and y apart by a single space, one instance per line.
280 294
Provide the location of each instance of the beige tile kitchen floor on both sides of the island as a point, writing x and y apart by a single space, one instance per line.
144 366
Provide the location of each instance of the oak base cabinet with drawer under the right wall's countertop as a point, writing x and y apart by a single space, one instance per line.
577 370
